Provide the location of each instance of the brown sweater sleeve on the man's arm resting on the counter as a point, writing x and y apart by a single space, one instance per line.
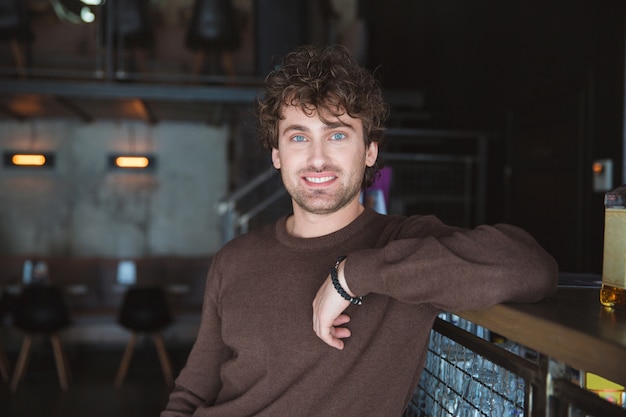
454 269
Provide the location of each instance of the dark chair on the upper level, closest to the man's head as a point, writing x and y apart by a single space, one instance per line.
213 33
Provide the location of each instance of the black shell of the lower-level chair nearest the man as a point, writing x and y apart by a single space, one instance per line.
145 309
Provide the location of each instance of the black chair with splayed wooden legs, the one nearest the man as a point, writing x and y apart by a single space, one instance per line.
145 310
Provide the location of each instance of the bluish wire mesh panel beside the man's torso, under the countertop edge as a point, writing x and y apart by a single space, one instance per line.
457 381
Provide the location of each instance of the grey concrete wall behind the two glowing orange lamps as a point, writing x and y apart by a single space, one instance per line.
81 207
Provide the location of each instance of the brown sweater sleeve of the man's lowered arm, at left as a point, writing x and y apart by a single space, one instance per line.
199 381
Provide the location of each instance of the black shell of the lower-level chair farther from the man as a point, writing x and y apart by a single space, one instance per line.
41 309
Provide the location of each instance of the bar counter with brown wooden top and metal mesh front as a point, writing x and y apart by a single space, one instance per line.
537 367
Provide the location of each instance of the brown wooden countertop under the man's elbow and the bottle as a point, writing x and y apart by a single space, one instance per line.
570 326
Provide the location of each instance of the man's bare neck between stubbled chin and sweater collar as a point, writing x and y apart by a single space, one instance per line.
306 225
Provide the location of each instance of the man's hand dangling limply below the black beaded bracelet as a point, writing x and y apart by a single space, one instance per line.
328 308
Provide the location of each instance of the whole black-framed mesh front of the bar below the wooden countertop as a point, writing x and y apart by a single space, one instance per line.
466 374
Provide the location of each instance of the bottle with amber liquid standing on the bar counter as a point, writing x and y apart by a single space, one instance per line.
613 291
